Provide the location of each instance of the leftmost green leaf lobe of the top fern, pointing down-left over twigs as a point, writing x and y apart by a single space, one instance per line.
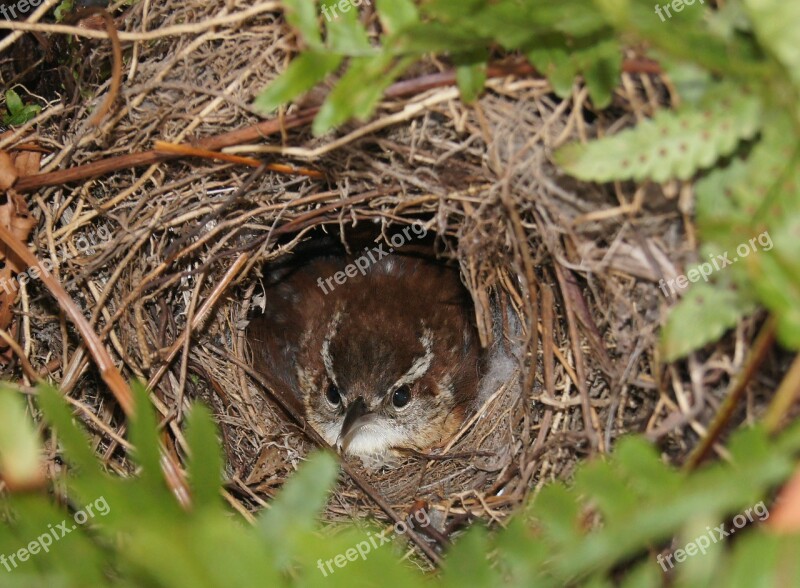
305 72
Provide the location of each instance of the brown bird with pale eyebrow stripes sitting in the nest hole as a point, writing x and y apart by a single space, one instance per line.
378 346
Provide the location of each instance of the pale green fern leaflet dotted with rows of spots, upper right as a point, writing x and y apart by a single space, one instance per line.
671 145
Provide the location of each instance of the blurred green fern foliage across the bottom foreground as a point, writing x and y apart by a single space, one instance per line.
605 529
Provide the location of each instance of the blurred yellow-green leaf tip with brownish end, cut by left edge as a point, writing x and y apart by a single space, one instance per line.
20 448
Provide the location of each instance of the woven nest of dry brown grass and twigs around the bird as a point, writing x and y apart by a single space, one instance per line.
563 275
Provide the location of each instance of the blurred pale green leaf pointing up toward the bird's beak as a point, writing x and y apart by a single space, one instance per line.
292 516
